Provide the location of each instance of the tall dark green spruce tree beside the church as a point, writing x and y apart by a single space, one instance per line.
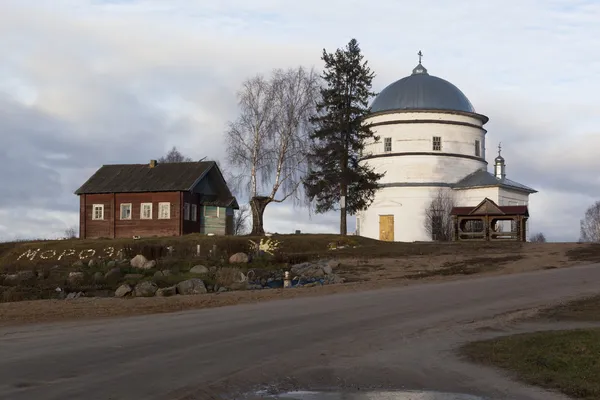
337 177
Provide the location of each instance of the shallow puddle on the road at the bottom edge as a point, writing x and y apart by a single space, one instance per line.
390 395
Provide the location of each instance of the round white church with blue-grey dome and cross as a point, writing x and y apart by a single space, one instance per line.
430 139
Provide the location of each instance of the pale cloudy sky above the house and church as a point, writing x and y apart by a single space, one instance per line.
91 82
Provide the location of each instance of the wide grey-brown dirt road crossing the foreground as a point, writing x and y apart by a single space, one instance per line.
399 338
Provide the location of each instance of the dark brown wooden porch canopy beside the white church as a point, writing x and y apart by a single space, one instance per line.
483 222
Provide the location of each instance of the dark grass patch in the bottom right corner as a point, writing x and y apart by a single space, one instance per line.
566 361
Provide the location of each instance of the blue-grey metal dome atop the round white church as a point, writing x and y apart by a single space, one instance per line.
421 91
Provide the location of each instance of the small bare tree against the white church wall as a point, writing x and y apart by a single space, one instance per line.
438 221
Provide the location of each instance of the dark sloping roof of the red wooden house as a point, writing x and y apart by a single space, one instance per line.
130 178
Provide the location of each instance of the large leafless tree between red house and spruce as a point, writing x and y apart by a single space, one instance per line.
269 142
